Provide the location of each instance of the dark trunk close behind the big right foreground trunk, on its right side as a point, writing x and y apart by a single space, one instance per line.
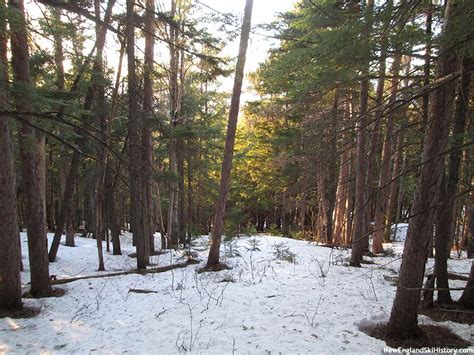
445 221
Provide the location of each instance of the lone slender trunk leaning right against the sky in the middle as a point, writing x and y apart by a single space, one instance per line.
218 227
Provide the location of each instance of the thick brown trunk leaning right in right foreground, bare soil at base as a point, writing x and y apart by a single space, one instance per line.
403 321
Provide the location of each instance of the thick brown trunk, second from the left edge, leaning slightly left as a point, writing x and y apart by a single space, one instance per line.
30 164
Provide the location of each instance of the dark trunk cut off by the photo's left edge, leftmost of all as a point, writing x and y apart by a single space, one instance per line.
10 252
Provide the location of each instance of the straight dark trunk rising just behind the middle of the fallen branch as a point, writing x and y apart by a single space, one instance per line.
135 131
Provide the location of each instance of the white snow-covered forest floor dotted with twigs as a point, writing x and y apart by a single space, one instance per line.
280 296
